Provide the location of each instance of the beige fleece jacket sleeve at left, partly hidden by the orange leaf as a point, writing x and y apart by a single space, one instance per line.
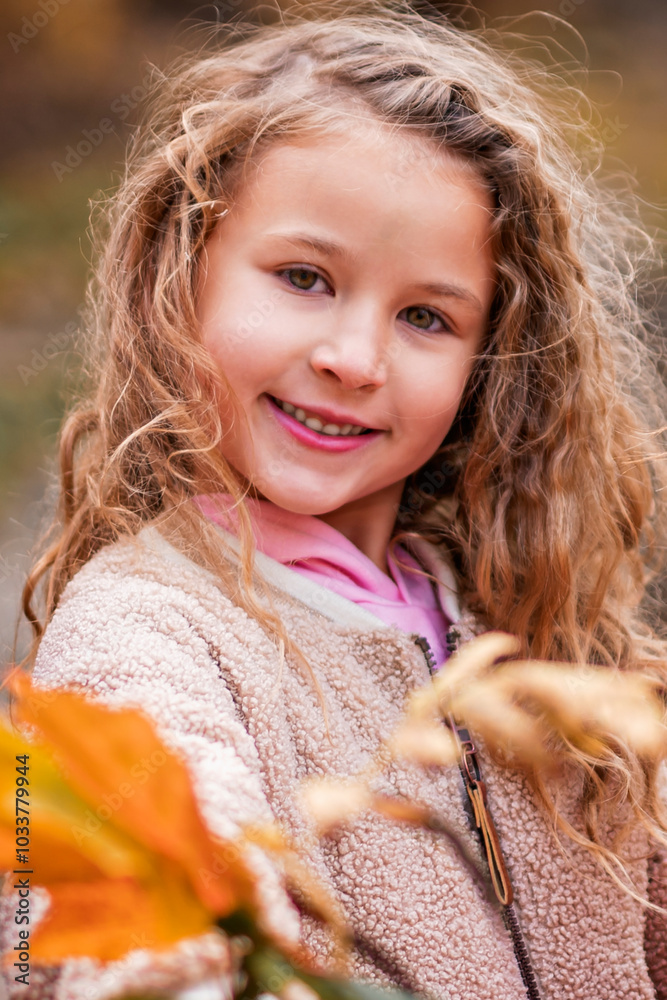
142 626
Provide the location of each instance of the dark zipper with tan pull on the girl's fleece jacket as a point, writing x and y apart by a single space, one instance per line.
476 789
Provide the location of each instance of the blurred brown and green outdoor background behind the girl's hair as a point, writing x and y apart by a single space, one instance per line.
71 75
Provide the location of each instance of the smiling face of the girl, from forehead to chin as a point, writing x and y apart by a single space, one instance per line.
345 296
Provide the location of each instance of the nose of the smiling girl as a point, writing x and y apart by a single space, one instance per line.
355 352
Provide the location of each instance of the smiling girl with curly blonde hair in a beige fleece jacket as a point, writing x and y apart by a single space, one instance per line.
359 307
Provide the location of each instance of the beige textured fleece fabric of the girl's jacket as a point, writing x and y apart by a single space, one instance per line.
142 625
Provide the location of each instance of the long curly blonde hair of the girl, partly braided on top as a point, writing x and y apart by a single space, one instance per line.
544 491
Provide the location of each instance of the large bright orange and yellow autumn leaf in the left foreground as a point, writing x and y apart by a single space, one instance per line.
115 834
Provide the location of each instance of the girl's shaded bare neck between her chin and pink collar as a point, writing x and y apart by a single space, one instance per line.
369 522
